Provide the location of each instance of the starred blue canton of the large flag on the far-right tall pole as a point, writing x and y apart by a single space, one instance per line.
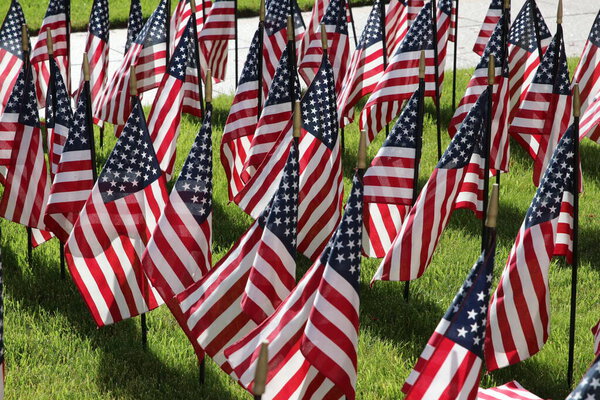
557 179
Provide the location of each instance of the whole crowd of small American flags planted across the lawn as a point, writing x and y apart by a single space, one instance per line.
131 246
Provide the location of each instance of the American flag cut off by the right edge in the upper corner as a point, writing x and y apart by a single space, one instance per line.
587 73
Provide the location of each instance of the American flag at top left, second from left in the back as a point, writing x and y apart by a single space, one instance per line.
57 19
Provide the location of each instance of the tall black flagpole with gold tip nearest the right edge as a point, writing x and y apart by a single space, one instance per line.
575 259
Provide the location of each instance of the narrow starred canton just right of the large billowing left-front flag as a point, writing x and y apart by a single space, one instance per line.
195 181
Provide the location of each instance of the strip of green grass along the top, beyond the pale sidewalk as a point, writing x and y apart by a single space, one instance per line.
119 11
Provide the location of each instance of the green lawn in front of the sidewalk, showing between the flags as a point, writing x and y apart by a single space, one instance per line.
55 351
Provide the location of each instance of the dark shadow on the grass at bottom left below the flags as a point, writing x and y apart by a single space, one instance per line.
126 369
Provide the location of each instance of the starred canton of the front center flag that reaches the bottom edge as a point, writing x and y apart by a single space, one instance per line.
345 251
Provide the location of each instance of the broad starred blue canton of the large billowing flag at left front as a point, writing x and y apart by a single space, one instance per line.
132 165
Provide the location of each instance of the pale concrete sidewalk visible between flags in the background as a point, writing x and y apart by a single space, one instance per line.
577 22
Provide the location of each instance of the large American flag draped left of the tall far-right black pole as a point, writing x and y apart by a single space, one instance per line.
518 320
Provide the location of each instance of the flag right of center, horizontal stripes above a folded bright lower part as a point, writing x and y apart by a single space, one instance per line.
389 182
